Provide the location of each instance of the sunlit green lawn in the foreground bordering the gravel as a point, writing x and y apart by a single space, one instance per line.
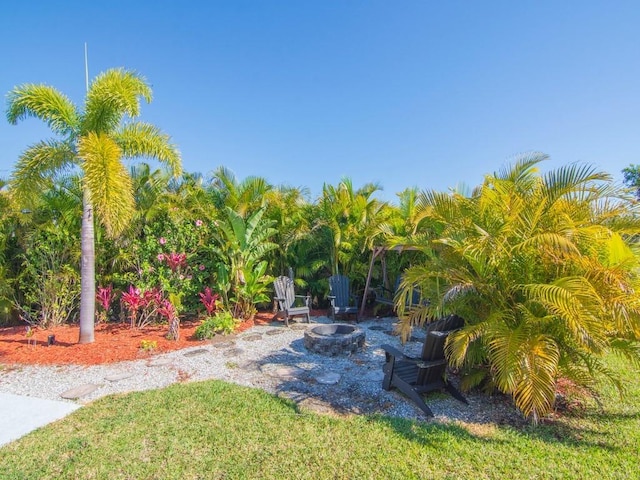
214 430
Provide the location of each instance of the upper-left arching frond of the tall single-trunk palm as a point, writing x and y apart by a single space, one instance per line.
45 103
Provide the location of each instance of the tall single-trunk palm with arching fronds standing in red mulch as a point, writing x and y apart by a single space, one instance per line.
93 140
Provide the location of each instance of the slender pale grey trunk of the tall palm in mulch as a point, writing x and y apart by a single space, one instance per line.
87 272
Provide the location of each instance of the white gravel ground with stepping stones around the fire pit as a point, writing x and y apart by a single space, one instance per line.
274 359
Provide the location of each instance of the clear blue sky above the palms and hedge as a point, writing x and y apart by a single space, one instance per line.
413 93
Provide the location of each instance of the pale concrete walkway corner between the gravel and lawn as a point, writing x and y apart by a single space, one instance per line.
21 414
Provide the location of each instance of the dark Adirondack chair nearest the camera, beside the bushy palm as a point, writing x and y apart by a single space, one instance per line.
416 376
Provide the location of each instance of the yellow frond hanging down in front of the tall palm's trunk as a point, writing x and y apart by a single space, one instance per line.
108 181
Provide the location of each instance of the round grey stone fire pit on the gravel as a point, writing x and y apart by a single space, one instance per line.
335 339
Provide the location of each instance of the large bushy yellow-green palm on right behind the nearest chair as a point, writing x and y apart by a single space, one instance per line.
545 272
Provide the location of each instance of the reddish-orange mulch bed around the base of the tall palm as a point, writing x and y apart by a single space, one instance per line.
114 342
